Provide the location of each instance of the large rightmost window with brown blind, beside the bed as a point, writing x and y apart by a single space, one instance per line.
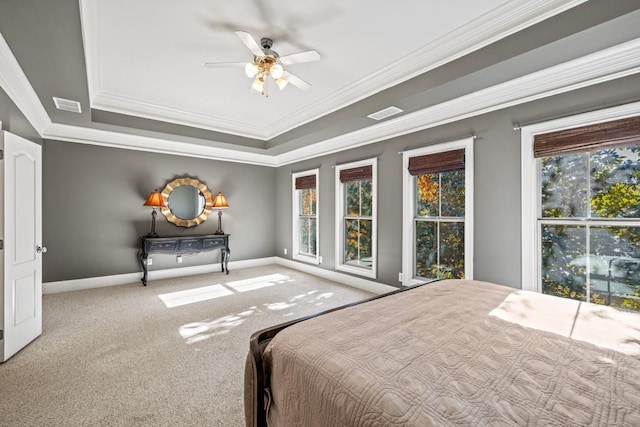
587 212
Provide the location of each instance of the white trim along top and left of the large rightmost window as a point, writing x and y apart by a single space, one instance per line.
530 181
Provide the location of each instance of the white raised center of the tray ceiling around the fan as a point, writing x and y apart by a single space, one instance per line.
145 58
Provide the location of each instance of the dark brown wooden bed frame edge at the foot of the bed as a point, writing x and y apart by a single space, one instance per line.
260 339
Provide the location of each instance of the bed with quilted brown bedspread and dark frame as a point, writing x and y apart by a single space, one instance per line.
452 352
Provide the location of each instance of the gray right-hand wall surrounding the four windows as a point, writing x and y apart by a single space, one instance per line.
497 195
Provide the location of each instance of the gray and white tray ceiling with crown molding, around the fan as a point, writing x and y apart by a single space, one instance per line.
137 68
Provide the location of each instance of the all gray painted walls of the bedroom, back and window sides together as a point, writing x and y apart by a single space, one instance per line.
93 213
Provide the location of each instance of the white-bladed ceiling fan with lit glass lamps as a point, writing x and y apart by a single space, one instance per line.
267 62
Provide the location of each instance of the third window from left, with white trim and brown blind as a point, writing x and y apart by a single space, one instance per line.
438 203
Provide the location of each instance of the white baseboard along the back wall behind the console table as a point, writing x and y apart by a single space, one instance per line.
128 278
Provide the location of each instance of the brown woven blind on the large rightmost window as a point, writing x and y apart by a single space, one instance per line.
587 138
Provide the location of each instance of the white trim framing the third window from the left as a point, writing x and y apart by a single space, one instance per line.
408 207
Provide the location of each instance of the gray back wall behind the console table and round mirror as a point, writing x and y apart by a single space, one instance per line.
93 213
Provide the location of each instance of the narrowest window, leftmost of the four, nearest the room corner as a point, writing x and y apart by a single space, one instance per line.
305 216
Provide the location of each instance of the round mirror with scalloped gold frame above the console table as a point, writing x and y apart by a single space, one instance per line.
188 202
